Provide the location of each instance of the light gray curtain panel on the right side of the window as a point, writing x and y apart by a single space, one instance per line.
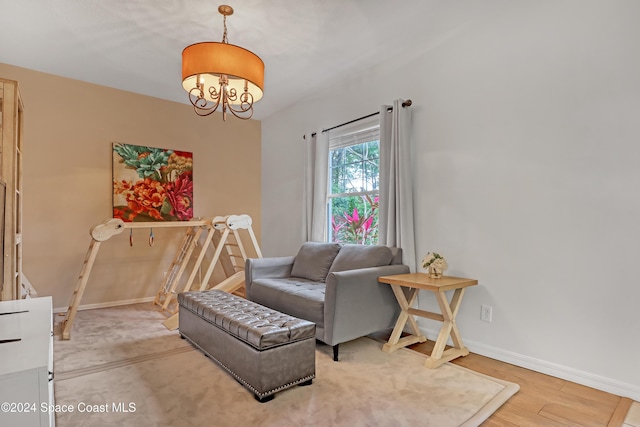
396 182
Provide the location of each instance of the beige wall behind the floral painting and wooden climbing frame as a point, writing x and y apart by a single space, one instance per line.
69 128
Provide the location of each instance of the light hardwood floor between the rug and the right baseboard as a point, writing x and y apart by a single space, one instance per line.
543 400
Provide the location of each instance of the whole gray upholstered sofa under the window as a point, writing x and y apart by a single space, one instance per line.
333 285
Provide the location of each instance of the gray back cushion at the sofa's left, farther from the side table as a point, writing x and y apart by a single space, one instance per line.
314 260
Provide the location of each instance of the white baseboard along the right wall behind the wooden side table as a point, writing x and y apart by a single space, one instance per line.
559 371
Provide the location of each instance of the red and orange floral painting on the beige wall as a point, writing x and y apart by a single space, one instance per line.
152 184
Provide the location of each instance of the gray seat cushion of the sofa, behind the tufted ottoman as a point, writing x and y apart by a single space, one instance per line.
300 298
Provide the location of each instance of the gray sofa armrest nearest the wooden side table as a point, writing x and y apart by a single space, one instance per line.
356 304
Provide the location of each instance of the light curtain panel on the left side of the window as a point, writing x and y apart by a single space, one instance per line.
315 187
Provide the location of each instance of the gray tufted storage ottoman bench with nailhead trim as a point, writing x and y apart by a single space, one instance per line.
265 350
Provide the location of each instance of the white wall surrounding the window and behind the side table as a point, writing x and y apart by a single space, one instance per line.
526 138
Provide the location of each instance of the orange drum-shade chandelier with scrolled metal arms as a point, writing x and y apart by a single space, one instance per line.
219 74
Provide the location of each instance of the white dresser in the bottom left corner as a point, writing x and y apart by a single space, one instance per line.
26 363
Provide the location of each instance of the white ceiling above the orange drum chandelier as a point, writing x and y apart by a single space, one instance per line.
136 45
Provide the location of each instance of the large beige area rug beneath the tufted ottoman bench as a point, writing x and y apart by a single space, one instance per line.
124 359
